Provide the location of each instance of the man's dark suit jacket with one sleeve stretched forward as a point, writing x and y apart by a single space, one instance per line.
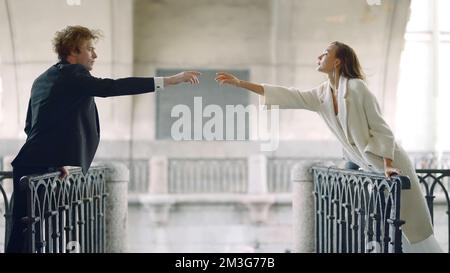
62 124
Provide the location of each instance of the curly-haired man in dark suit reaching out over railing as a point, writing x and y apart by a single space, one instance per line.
62 124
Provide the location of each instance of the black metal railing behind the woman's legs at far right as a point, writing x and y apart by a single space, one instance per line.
433 184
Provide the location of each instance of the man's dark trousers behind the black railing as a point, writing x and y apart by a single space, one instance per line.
17 239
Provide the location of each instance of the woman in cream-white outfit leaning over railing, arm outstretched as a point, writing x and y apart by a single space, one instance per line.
353 115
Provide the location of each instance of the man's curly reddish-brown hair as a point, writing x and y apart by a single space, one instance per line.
70 39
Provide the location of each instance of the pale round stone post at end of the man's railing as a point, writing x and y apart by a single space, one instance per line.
117 178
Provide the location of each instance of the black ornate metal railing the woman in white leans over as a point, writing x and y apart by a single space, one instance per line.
357 212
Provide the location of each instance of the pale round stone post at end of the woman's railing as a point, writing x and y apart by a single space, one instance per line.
303 207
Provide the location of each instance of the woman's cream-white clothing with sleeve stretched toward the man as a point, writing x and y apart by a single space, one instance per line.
365 136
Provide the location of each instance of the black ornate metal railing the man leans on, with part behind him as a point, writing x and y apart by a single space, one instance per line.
64 215
